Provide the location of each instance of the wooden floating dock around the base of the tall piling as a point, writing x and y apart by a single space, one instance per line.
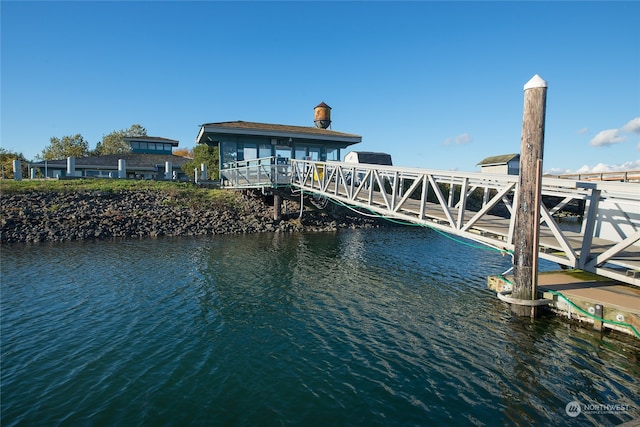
585 297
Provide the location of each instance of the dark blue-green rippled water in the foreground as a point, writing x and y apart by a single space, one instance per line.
356 328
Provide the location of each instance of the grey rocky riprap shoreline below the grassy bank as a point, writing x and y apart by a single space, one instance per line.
65 216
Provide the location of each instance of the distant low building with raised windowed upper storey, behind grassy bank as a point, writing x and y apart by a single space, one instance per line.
148 159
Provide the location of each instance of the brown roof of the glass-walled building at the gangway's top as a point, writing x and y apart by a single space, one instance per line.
240 127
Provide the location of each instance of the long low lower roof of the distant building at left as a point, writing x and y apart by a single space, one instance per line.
110 161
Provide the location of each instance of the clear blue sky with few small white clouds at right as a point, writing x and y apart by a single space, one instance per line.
438 85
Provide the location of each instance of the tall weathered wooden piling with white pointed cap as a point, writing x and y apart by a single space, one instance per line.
527 224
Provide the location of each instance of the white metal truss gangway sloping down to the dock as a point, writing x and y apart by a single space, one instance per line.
477 206
